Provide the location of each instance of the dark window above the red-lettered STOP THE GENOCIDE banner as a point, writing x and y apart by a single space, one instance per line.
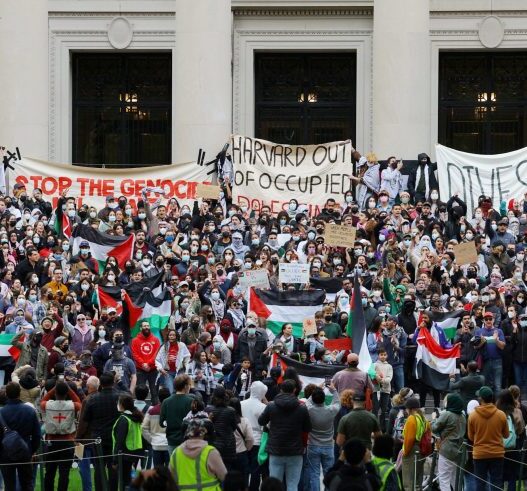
122 106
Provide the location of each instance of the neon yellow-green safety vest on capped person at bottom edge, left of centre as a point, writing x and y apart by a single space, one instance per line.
192 474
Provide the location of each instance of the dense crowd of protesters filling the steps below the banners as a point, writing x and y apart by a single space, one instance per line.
200 404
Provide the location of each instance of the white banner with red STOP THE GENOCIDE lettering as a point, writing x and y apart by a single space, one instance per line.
92 185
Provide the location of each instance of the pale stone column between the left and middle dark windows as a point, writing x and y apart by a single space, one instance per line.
202 78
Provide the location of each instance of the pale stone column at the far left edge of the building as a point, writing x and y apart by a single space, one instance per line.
24 94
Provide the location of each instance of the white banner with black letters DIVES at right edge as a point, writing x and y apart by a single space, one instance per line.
502 177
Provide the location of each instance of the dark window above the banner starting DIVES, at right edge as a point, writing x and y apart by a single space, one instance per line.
483 101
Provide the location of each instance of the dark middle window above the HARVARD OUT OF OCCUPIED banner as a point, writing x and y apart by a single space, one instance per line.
305 98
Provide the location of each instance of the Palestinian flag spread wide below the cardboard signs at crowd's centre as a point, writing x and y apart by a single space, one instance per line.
279 307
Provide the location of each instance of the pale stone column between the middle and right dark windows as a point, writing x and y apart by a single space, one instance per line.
401 78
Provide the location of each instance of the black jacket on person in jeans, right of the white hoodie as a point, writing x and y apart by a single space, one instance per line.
289 419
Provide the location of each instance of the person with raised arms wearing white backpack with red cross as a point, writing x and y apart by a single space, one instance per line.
60 407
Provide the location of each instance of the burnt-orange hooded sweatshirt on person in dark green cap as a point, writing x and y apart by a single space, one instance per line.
487 427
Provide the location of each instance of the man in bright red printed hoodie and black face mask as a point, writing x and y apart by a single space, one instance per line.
144 350
